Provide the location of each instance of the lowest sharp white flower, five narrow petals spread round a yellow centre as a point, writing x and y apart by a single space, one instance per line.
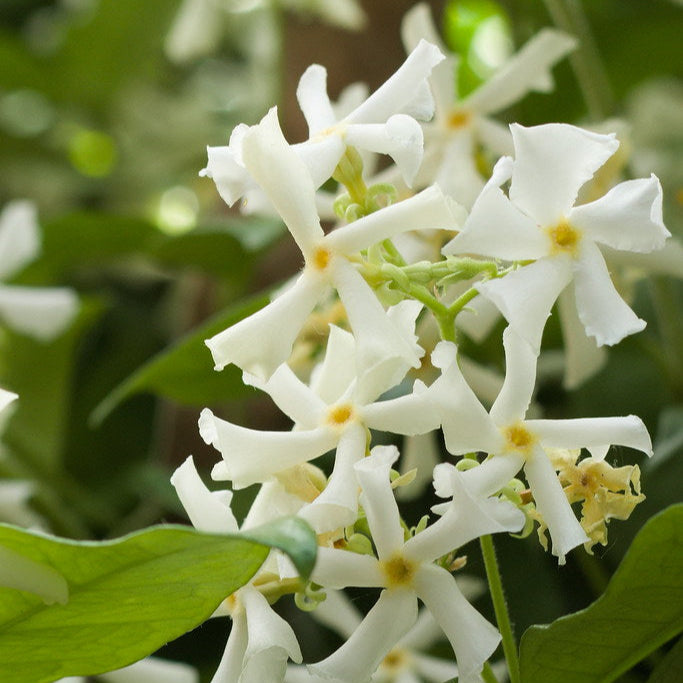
406 571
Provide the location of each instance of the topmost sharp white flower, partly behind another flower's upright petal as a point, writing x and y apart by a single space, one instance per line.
384 122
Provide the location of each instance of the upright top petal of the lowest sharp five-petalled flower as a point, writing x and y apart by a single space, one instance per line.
377 499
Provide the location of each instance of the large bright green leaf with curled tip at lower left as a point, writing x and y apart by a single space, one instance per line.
128 597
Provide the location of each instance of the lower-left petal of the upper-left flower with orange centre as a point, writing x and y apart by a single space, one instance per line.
251 343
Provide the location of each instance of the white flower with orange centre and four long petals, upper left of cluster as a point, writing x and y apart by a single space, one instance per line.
251 344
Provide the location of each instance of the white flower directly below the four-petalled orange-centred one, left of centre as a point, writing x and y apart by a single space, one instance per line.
335 412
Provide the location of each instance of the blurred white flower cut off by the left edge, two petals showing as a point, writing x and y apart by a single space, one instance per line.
40 312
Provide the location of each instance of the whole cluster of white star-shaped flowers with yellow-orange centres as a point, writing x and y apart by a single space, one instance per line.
410 250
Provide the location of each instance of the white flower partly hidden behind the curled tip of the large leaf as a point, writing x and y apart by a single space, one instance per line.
260 641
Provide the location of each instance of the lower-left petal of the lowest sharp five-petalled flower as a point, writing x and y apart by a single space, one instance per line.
355 661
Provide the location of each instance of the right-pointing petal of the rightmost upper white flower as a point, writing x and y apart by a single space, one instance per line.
628 217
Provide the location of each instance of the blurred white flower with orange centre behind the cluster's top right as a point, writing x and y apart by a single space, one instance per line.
460 124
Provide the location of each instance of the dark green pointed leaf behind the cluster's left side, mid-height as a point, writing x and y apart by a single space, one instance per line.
184 372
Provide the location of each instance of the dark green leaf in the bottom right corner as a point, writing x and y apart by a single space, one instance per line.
641 609
